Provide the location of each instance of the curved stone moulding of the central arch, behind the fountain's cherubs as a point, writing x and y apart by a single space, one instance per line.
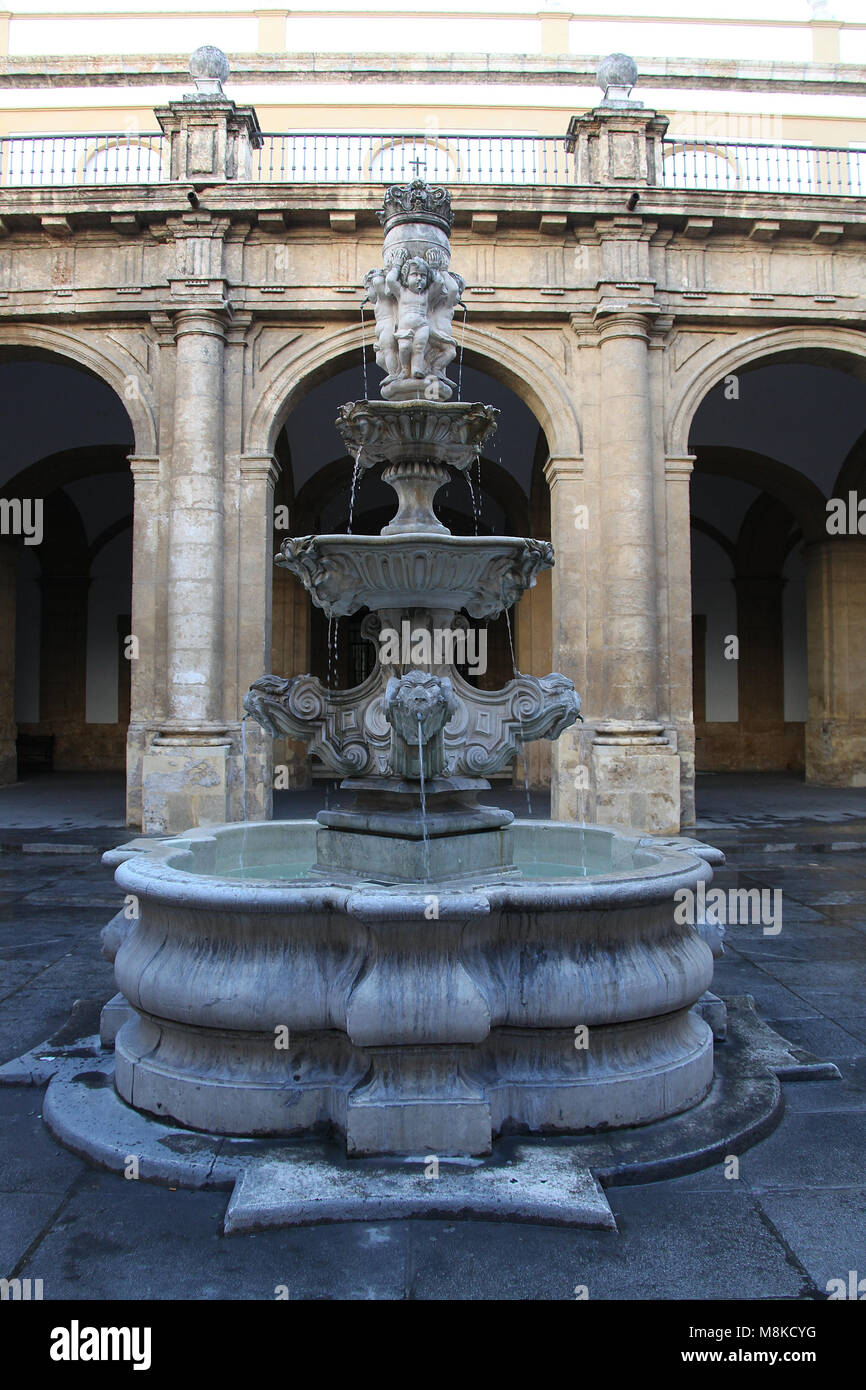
546 393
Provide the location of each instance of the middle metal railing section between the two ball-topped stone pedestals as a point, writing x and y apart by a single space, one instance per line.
395 159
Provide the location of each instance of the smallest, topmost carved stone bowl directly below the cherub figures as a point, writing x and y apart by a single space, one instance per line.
416 432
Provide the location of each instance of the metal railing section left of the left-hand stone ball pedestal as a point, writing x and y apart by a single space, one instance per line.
59 161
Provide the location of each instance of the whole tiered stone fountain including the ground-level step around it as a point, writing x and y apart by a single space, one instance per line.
420 976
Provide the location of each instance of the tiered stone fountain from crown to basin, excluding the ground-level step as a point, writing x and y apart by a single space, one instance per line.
418 974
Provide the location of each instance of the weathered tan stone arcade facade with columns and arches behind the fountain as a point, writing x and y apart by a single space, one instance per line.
615 308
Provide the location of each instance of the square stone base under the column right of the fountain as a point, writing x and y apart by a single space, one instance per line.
635 769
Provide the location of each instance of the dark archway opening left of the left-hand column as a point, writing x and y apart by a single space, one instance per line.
67 590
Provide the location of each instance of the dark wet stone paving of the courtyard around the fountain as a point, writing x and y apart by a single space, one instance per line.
793 1220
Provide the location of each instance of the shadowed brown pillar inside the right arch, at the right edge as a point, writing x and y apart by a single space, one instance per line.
836 618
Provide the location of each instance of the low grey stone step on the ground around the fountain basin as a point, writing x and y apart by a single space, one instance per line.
551 1179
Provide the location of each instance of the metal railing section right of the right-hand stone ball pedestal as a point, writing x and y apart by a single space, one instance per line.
740 167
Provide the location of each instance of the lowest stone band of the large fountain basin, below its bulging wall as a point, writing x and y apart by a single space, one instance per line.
448 1100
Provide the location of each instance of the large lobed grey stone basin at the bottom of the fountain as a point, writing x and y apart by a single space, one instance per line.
414 1020
